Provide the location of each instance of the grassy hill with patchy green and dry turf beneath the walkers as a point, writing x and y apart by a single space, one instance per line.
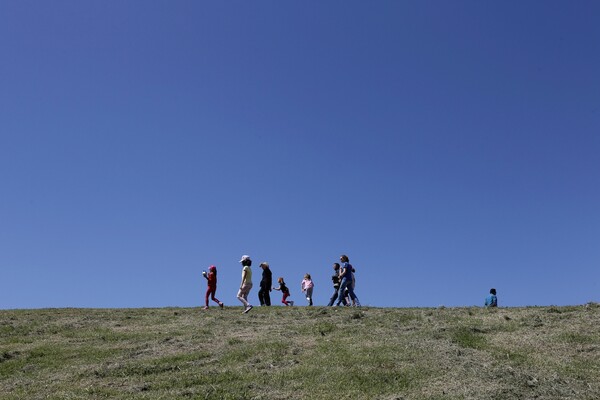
301 353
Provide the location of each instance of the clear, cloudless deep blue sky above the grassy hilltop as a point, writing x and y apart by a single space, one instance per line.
446 147
